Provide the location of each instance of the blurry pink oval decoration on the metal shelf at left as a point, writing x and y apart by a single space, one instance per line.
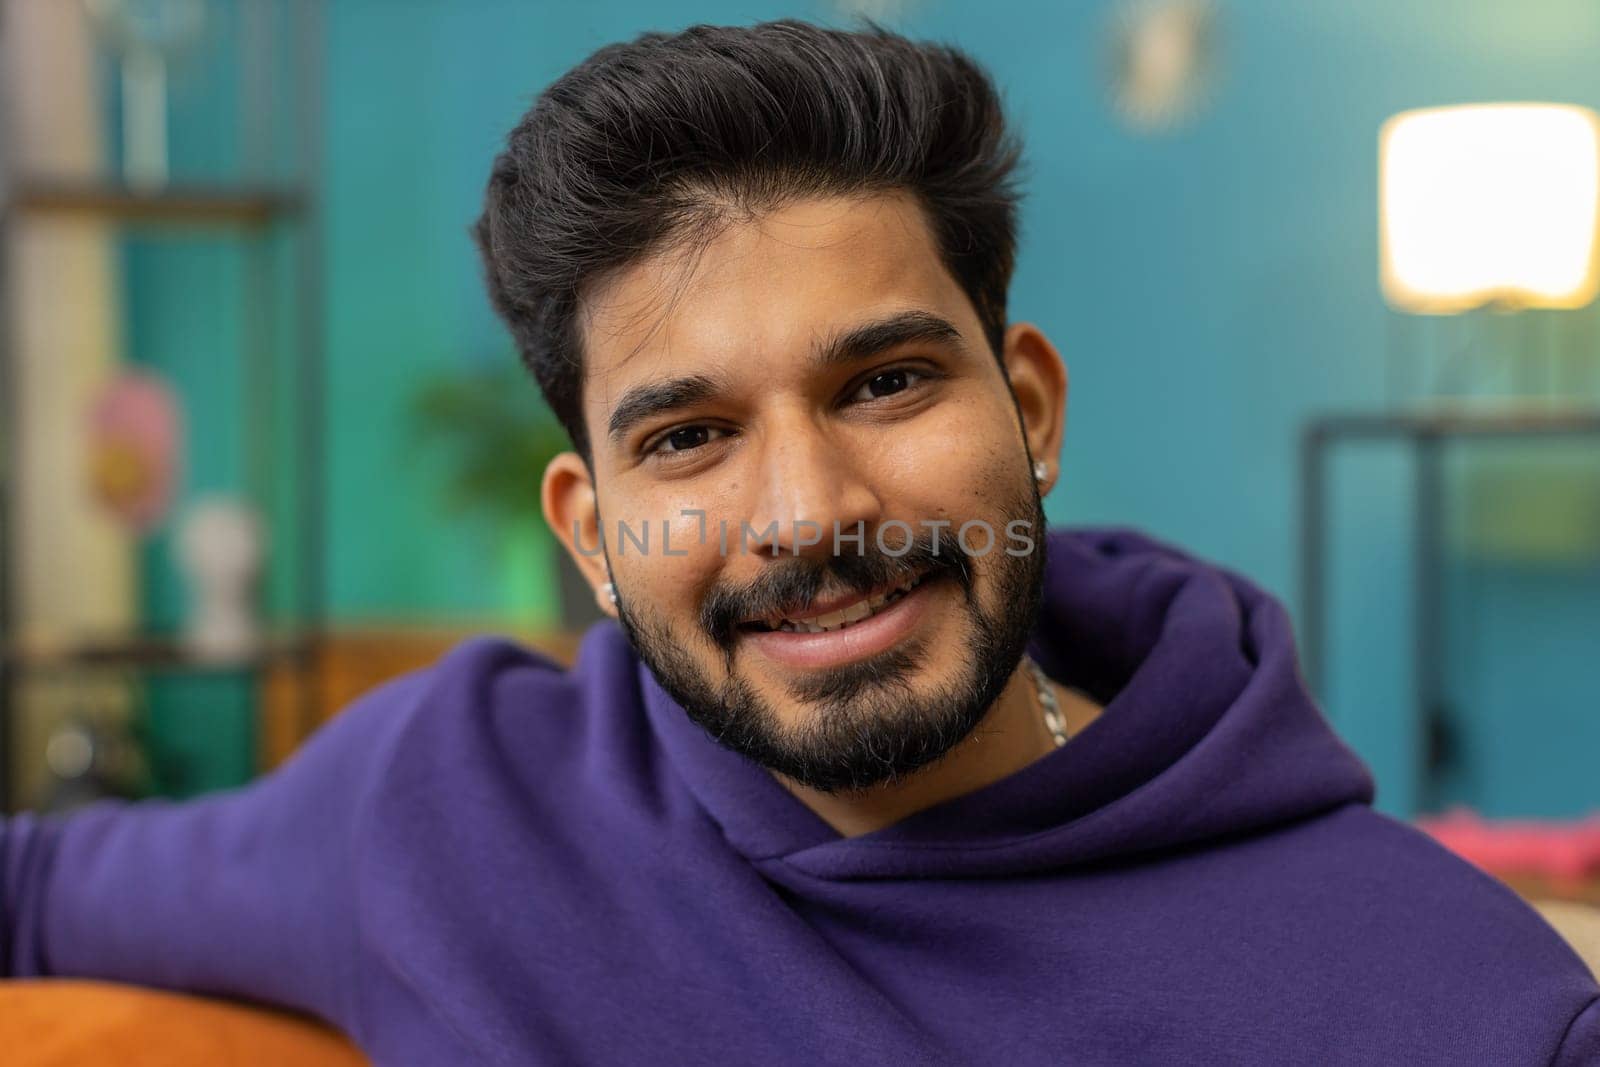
135 449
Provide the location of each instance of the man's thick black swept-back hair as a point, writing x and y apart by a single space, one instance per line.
666 140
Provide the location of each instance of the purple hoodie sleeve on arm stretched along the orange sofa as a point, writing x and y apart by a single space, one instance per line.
250 893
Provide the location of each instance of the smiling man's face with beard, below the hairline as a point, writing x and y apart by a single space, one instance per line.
791 430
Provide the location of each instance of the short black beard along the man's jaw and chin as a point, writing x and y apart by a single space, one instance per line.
871 729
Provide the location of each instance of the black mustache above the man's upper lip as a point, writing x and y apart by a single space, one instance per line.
788 588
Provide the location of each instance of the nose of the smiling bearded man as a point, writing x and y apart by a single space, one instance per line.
810 486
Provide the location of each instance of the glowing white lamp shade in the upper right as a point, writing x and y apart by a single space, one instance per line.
1489 204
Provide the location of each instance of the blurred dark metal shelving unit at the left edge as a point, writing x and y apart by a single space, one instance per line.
249 214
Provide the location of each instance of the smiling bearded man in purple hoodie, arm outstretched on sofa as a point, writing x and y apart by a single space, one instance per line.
870 770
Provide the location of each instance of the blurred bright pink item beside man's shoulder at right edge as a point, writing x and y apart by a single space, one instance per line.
1564 852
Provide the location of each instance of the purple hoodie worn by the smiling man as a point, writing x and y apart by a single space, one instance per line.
495 861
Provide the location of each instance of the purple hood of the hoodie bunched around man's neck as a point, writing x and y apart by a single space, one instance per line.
1207 732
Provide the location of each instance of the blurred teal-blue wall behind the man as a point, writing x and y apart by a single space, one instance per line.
1209 290
